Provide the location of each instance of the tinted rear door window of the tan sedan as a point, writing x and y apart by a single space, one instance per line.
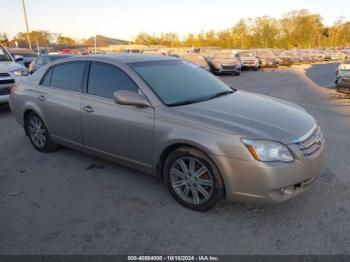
68 76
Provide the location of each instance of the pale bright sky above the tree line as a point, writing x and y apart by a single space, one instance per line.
125 19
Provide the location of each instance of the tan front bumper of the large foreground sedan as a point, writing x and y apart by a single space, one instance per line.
258 182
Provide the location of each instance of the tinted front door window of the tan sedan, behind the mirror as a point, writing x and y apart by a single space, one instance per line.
105 79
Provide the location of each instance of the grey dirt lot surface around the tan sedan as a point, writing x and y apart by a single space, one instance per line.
70 203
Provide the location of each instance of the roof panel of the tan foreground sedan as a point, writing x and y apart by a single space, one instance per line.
123 58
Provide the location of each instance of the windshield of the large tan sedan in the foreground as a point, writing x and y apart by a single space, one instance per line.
180 82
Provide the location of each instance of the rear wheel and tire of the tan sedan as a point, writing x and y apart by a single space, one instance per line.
38 134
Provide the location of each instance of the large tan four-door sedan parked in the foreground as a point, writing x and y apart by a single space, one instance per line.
205 140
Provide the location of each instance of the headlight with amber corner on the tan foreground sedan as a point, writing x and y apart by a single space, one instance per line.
268 151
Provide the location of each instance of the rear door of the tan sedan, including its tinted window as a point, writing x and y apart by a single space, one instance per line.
60 100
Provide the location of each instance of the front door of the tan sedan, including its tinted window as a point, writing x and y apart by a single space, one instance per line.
124 132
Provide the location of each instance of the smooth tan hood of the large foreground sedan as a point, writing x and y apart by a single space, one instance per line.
251 116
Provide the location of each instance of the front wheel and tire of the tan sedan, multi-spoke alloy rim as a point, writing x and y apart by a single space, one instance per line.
193 179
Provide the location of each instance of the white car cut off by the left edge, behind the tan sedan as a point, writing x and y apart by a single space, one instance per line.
10 68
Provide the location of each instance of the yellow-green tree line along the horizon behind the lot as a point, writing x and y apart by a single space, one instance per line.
296 29
